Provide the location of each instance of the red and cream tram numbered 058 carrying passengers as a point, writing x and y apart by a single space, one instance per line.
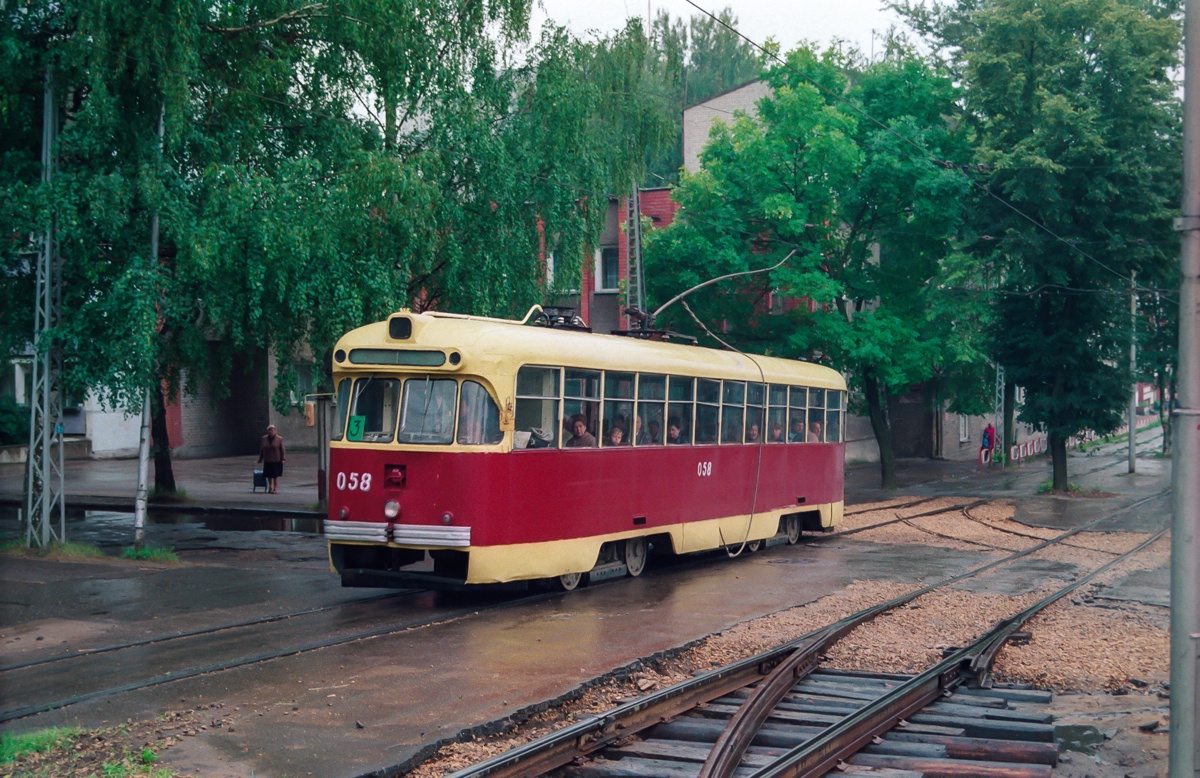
477 451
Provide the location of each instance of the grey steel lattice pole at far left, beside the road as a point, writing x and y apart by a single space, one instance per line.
44 465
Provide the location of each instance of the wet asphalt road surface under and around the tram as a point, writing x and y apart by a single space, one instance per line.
453 661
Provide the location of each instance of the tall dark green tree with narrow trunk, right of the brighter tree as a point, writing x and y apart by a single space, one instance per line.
1076 119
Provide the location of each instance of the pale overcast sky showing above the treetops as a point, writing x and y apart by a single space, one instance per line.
788 21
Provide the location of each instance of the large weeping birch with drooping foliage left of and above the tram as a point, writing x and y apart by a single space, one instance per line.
322 166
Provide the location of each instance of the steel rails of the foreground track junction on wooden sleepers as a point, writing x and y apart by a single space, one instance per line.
778 671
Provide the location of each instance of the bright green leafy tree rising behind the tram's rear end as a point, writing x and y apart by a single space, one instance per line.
859 182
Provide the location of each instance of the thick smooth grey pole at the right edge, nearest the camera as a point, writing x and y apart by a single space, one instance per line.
1185 759
